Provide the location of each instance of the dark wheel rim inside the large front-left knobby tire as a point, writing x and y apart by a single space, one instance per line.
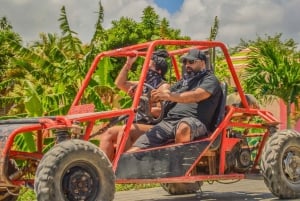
80 181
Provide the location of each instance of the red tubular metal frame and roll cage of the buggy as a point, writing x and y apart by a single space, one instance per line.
146 49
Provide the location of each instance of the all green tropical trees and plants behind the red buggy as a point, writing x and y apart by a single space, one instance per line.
43 77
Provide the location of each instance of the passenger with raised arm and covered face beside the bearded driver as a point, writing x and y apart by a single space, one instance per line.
158 67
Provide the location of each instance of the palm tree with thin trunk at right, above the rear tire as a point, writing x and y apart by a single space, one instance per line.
274 70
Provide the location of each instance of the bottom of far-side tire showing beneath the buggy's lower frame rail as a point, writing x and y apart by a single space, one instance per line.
181 188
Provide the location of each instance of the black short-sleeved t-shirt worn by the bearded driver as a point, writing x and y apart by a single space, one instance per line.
203 110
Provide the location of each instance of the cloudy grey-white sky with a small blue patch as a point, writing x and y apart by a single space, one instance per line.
238 19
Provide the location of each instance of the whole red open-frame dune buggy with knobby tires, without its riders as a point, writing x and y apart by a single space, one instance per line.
244 142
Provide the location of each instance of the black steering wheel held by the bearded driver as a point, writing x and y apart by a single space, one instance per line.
145 106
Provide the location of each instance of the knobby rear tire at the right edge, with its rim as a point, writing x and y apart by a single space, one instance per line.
280 172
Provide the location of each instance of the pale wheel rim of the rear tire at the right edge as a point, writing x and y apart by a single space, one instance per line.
291 164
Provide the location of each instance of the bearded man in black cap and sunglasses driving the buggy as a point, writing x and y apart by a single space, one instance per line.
193 101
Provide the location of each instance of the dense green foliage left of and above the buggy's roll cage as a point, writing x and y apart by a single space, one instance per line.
56 65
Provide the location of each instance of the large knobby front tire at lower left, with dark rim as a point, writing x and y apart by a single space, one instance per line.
75 170
